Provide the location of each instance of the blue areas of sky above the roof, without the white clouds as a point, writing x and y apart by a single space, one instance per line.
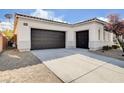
69 15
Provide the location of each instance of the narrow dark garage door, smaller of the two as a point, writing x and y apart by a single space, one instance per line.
82 39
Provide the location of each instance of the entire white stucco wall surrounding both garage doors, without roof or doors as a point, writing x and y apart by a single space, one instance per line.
24 33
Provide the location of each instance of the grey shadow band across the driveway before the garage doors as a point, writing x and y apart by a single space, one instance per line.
51 54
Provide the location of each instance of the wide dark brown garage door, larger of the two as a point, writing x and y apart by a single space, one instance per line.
47 39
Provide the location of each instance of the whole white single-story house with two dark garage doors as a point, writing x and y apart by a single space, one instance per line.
37 33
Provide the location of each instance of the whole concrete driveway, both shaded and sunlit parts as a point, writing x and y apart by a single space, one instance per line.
80 65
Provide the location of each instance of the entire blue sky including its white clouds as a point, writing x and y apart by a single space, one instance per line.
61 15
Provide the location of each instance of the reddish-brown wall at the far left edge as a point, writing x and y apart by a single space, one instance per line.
3 42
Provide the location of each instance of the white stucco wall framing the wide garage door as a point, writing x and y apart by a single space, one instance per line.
24 32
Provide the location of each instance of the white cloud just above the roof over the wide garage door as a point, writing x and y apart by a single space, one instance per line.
47 15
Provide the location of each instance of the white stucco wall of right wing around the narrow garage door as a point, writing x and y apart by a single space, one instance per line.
94 42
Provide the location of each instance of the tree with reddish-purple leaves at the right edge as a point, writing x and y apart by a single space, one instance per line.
116 25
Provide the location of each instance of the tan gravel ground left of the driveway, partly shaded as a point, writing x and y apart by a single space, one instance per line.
24 67
